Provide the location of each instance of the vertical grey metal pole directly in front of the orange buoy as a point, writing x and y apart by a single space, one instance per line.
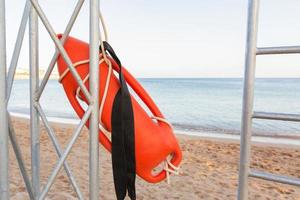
94 91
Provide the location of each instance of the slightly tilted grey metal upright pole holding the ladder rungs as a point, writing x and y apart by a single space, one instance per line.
249 77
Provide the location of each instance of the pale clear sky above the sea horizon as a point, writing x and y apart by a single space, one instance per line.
191 38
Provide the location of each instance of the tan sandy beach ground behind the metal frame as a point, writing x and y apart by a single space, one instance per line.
209 169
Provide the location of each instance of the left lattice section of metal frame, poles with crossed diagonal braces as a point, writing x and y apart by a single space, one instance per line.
34 12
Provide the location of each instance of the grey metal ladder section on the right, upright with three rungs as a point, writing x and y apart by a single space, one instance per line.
248 97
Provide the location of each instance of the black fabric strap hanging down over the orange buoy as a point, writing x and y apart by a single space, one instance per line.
123 144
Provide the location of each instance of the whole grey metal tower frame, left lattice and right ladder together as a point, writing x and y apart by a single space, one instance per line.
34 12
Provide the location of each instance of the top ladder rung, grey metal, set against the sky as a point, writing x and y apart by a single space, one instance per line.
278 50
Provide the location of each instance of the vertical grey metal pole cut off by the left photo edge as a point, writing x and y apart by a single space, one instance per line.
4 181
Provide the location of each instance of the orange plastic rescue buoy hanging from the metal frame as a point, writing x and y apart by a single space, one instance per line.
154 140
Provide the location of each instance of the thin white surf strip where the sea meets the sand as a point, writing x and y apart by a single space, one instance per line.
265 140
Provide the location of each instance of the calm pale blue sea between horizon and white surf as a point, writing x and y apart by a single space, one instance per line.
195 105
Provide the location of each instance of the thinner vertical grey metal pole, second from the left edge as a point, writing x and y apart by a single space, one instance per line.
34 118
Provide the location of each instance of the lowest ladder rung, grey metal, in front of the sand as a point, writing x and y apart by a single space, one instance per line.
274 177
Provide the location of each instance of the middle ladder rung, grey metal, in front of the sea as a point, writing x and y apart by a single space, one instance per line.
276 116
